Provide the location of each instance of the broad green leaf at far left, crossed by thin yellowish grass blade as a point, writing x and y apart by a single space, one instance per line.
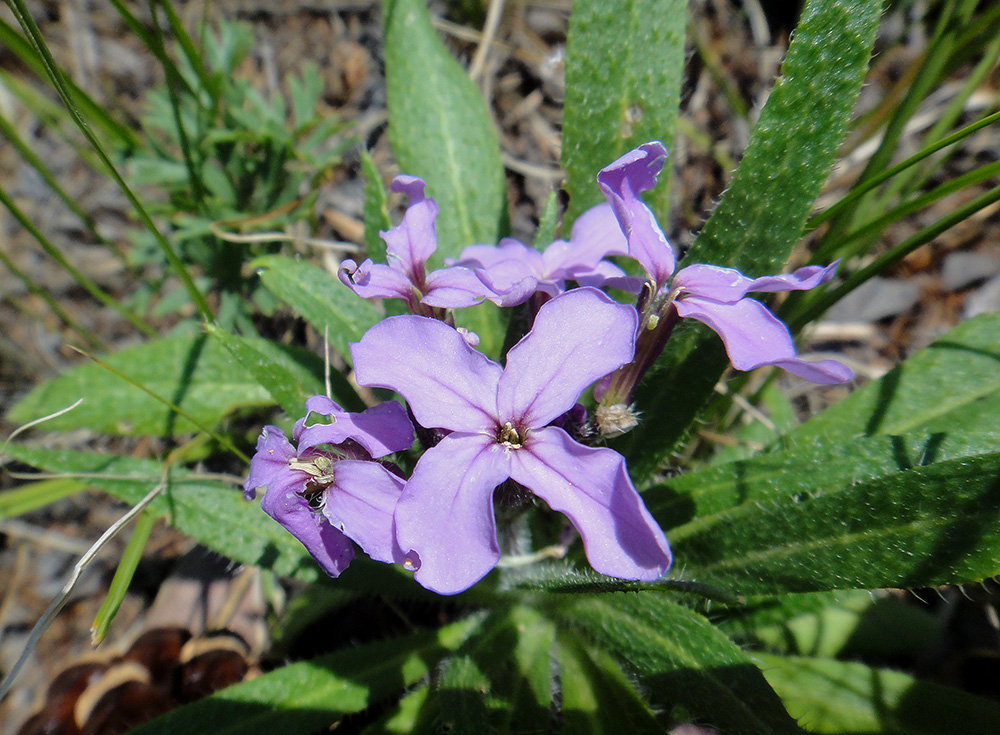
194 373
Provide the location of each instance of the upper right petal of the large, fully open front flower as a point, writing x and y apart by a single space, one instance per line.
577 338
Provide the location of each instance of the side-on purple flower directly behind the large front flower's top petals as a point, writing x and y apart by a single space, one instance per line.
514 272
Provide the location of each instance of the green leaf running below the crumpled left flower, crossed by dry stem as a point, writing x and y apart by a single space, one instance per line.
211 512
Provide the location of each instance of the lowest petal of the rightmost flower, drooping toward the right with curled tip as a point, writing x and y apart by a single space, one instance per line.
755 337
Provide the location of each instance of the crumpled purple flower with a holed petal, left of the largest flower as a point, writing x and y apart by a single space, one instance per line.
327 491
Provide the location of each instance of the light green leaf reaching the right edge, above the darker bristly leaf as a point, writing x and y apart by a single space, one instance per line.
945 398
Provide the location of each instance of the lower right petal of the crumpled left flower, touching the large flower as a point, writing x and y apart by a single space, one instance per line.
360 504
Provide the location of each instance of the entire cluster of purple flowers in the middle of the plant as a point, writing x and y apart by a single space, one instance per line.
497 433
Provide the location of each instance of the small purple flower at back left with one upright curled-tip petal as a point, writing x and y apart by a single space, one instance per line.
408 248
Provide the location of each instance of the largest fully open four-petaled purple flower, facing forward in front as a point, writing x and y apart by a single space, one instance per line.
498 420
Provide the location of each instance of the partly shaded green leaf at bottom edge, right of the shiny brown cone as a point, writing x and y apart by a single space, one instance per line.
312 696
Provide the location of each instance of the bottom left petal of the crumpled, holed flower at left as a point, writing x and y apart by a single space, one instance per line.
328 546
